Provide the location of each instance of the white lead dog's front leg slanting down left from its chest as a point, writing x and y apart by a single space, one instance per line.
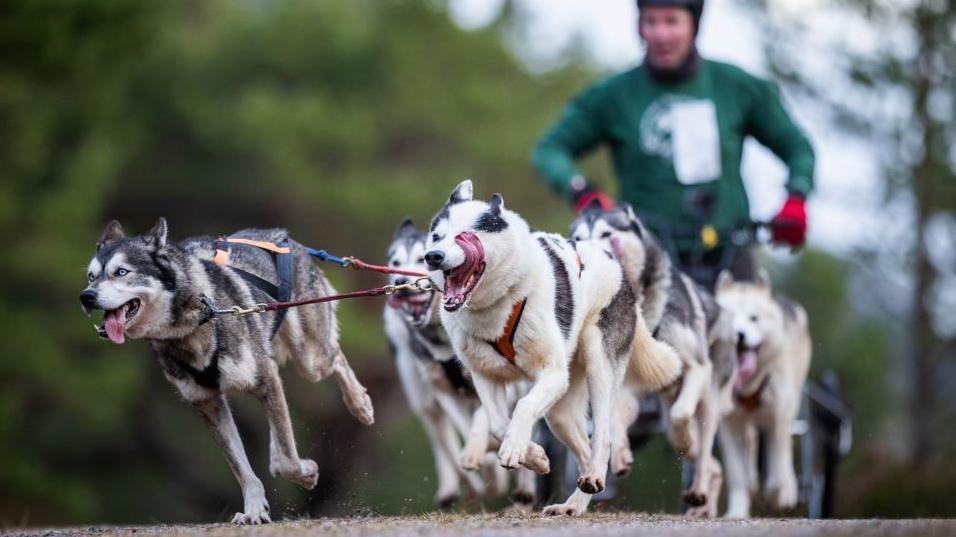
516 447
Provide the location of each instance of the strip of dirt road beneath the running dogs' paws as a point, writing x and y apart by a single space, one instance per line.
596 525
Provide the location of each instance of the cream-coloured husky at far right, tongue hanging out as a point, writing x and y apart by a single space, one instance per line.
773 356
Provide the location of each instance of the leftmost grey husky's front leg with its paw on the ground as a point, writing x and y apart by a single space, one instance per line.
219 420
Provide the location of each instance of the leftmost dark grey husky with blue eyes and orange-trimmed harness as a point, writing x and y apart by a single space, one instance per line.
150 289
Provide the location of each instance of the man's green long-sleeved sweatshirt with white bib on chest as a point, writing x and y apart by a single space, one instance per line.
673 143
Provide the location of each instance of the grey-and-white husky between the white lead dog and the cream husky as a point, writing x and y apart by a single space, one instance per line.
686 316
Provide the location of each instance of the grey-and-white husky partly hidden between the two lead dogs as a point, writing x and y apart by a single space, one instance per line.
436 385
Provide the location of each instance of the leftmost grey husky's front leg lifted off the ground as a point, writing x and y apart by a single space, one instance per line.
284 458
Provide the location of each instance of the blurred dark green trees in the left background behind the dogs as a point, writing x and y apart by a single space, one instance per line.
333 118
